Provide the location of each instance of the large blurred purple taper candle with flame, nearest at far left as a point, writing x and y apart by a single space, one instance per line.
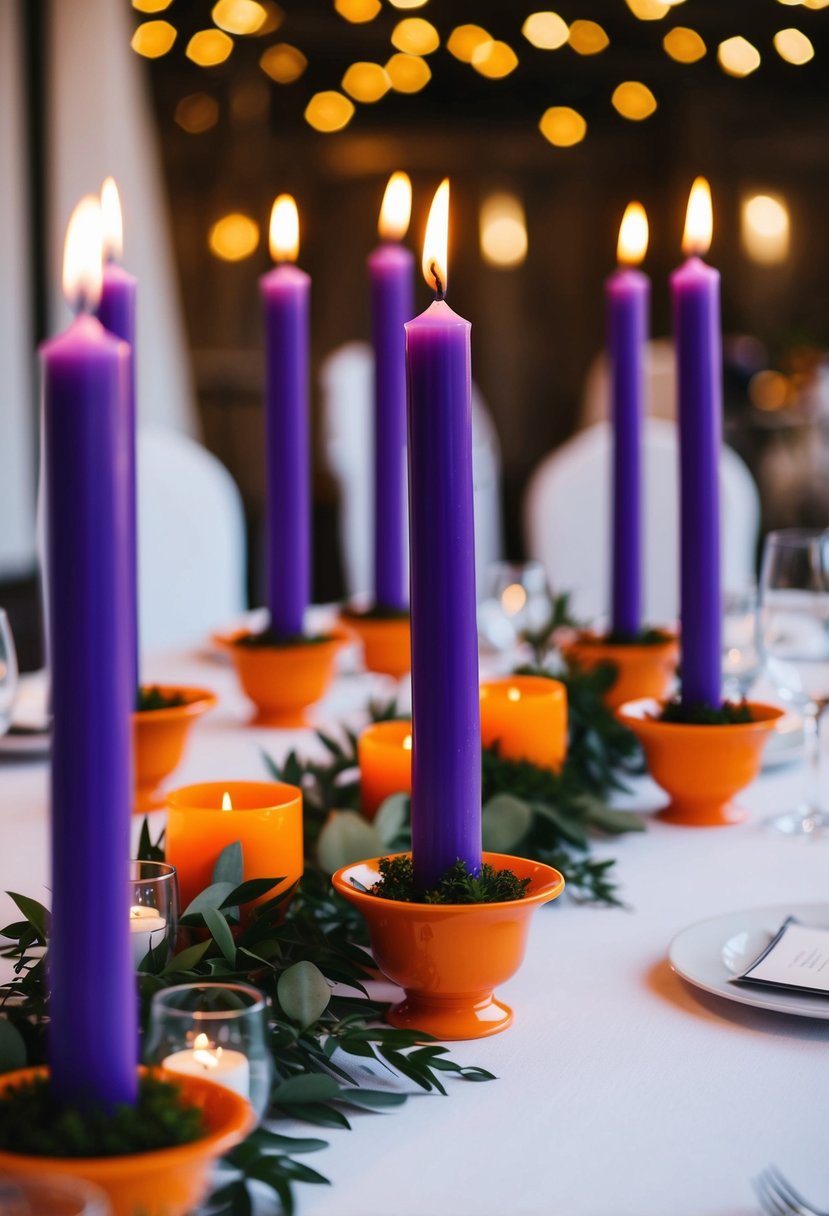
93 1033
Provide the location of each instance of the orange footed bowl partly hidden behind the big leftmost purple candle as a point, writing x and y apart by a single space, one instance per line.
160 738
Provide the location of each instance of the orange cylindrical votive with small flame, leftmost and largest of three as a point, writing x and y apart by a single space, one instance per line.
266 818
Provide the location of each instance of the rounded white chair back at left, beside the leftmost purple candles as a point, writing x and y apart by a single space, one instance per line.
191 542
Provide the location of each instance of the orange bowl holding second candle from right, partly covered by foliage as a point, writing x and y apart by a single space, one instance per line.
641 671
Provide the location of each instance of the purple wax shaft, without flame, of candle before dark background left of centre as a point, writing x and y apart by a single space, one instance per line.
286 296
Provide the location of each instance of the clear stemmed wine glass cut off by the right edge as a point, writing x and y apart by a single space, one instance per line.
794 630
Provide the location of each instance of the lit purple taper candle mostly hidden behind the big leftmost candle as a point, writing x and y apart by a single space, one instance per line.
116 312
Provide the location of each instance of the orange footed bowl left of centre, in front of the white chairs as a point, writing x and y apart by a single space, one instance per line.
284 682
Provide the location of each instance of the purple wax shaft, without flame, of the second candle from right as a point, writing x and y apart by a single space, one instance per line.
628 295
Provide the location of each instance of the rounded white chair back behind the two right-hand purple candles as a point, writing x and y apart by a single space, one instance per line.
567 521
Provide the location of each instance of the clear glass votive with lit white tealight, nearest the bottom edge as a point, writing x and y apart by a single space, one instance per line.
217 1032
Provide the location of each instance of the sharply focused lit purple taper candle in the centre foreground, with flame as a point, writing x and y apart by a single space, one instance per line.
447 776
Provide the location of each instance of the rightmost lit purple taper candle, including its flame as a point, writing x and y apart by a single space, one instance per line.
696 292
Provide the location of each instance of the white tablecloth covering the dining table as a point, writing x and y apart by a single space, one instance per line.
622 1090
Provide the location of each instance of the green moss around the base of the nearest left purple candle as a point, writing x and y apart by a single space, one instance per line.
33 1124
